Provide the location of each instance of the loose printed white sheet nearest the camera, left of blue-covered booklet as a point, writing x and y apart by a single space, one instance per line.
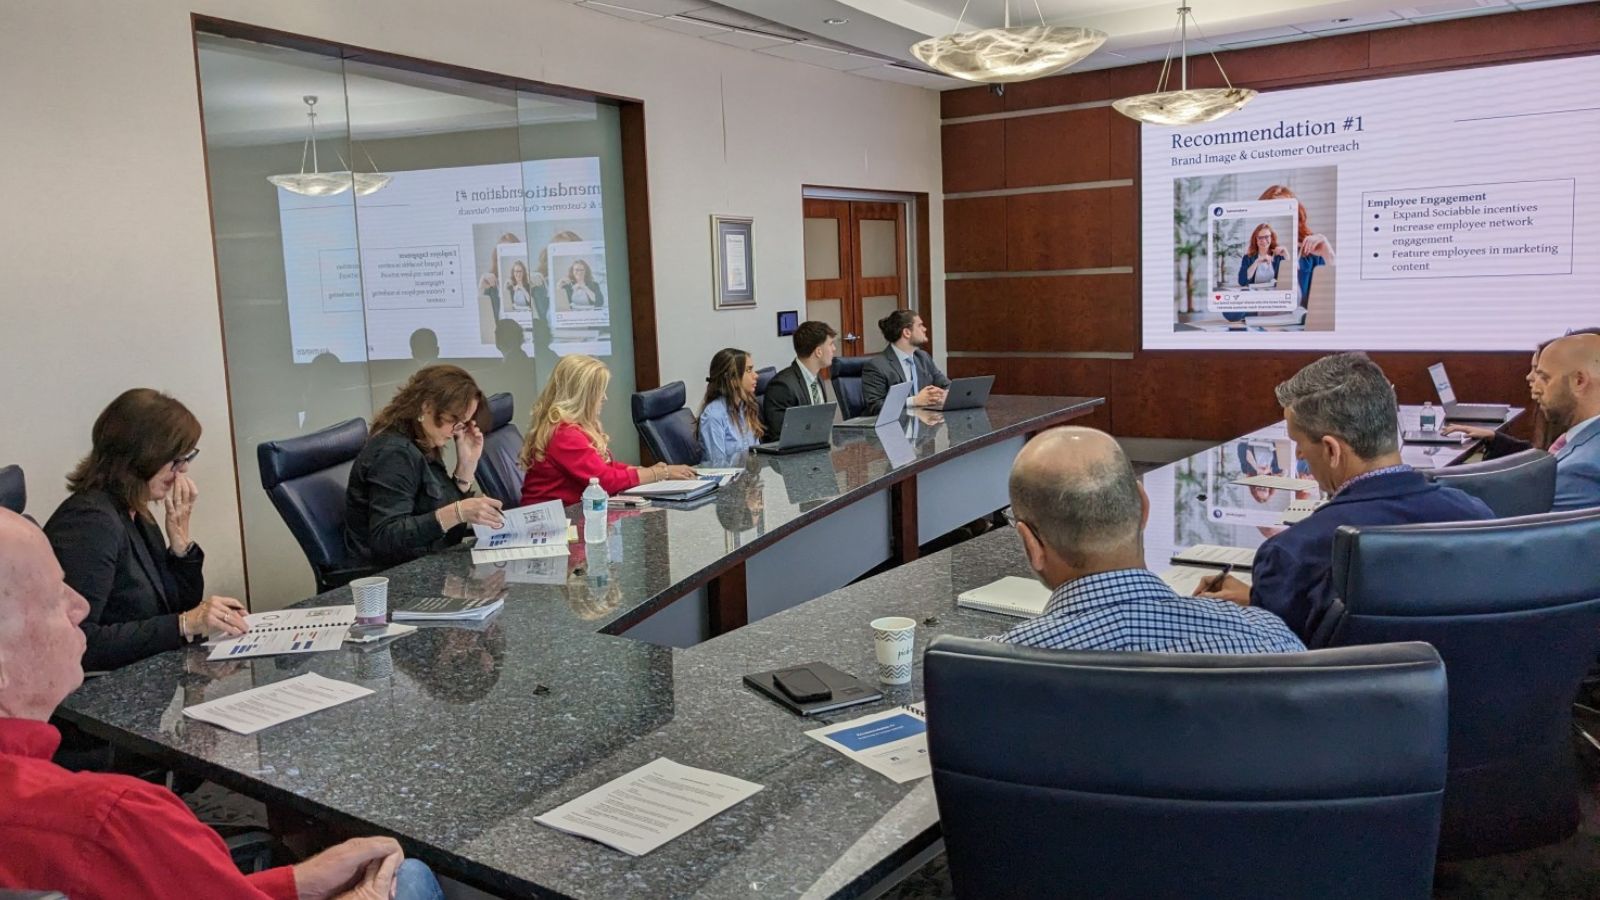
649 806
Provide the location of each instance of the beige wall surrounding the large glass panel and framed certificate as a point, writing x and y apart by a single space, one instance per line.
108 281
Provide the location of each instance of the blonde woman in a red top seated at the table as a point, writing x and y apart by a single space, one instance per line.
567 446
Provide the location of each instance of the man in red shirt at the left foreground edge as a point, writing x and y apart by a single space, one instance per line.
113 837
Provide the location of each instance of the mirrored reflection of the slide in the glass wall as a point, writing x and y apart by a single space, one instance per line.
452 263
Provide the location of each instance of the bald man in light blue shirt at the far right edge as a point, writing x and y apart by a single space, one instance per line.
1569 376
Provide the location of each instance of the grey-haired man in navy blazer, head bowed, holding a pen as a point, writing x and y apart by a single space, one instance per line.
1343 417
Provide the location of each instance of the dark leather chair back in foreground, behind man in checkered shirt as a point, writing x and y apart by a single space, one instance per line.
1143 776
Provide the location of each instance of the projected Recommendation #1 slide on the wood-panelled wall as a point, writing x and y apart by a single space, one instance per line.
1452 211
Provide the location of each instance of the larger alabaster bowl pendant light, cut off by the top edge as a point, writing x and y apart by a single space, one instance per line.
999 57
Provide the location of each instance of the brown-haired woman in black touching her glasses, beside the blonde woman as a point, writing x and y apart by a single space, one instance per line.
402 502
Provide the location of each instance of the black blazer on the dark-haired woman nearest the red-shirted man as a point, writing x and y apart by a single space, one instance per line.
122 566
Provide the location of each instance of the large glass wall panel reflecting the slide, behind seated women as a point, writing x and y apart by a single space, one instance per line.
409 220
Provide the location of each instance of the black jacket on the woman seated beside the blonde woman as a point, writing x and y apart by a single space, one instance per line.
391 502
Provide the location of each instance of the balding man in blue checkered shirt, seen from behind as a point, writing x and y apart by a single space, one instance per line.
1081 515
